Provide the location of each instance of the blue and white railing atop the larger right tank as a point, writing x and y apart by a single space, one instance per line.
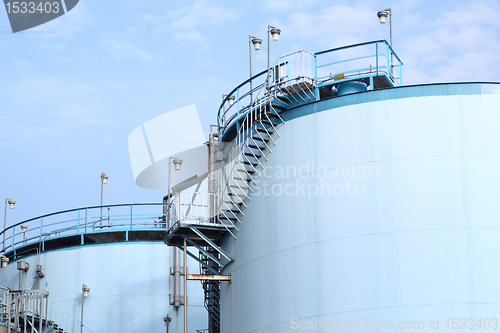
363 61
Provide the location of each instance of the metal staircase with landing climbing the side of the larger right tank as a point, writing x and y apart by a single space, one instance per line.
239 169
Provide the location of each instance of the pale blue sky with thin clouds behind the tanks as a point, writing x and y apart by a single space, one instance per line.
74 90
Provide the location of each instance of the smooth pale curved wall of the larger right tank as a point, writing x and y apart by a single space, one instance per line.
378 208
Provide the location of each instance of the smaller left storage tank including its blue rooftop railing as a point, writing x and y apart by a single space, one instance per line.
121 257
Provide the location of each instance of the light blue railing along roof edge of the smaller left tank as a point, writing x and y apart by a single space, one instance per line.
85 220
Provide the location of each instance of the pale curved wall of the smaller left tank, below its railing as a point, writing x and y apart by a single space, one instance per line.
129 286
